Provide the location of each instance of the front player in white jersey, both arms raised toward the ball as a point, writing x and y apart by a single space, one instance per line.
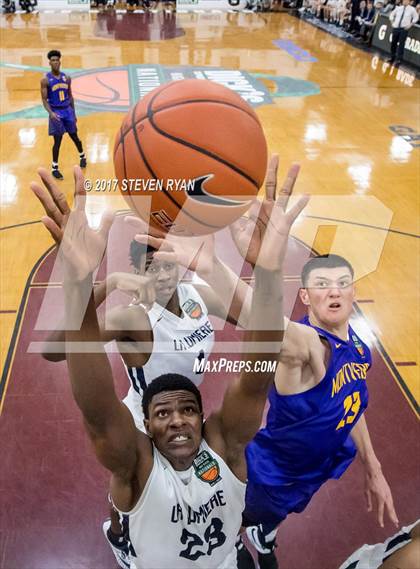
215 449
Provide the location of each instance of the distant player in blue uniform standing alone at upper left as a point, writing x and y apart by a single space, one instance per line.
58 101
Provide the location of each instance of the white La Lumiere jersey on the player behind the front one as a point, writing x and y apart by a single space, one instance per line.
179 343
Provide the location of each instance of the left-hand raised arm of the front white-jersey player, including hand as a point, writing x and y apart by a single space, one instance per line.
118 445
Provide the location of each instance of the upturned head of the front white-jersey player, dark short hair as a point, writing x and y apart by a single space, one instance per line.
173 413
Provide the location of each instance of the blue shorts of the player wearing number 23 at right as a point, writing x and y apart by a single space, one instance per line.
270 505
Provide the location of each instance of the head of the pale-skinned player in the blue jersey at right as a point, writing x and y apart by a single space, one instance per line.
327 289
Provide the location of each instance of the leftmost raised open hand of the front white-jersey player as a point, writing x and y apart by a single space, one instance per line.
80 247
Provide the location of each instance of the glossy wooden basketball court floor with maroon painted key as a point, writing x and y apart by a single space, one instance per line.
353 124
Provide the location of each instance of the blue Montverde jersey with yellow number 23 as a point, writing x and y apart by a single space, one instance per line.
307 434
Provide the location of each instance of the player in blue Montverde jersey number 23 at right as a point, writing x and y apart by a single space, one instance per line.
315 424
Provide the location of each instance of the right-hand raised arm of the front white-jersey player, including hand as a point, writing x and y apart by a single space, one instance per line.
235 424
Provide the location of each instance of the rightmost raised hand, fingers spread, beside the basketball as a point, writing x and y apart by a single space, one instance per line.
262 236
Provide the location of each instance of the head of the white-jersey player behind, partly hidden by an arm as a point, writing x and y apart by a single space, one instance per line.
163 273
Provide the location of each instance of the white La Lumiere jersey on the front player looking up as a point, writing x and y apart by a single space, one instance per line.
188 520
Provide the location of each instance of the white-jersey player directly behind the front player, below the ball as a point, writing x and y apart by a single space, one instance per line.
166 327
